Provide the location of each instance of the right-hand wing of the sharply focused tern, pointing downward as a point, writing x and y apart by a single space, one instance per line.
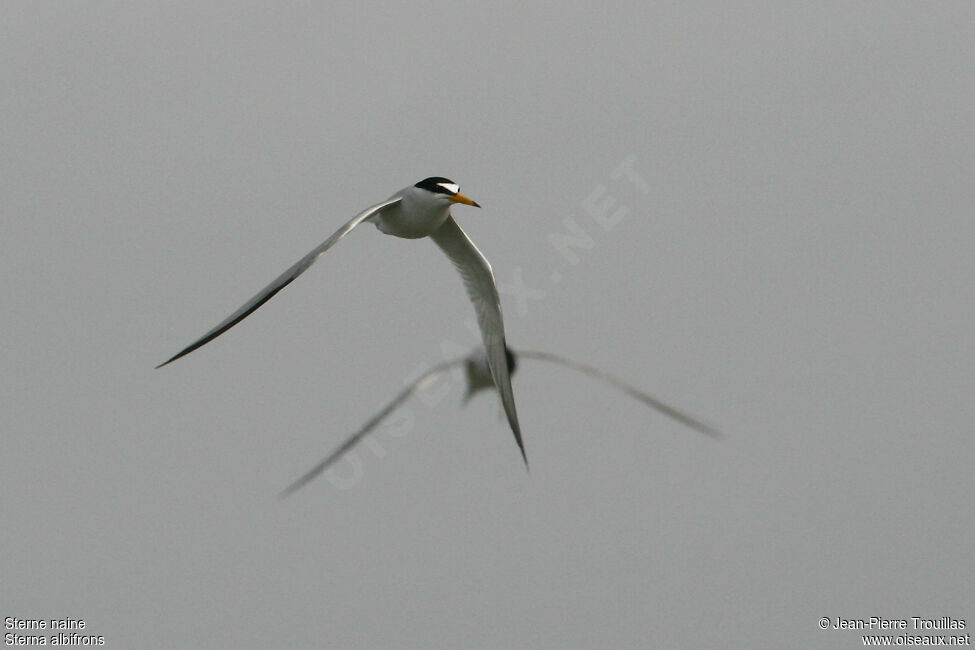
478 278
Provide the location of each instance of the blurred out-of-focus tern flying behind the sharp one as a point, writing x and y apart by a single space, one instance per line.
478 375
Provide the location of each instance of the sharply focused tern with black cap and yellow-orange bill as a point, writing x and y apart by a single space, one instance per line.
420 210
